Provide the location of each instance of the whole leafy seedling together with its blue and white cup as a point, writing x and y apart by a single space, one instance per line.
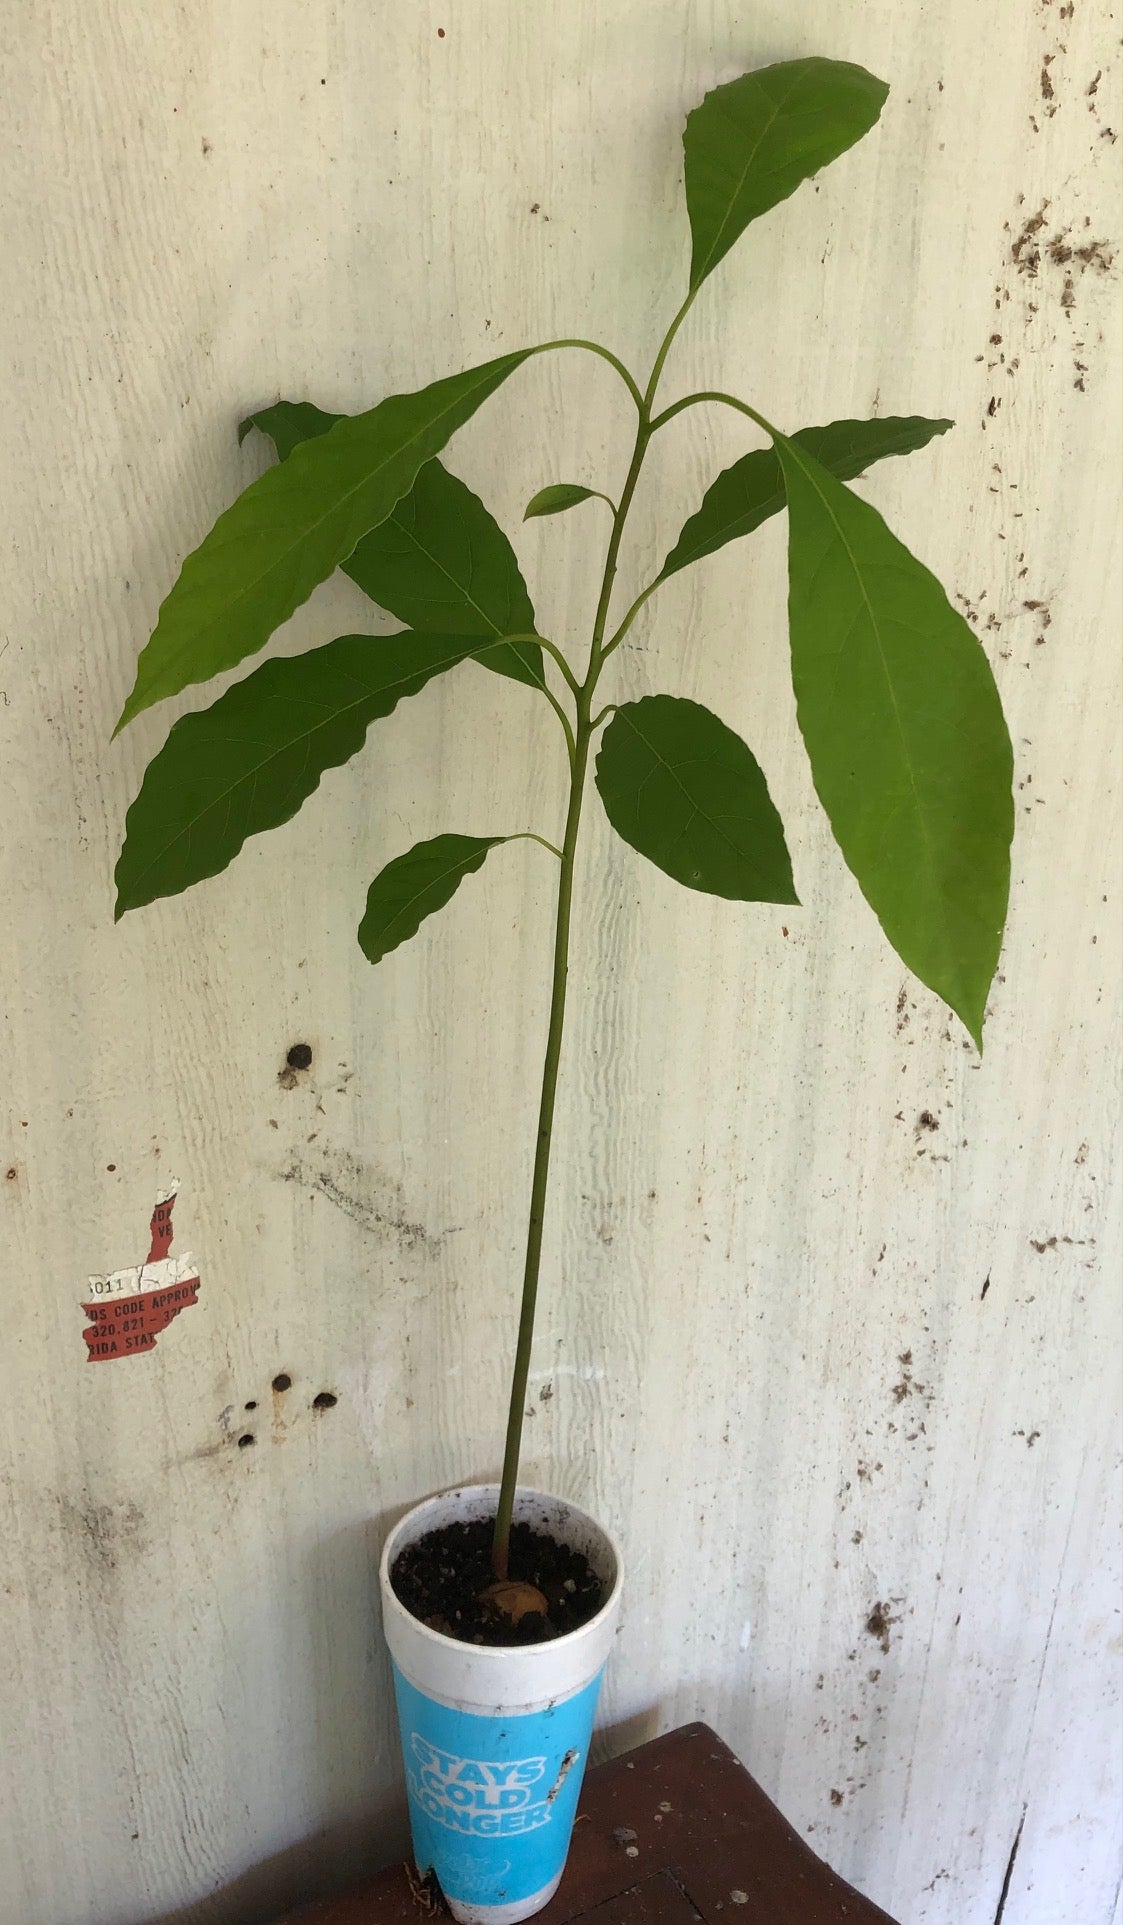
502 1603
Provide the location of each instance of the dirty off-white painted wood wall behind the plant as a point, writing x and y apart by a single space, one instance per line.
808 1356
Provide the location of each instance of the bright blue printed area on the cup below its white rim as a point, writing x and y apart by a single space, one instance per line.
494 1799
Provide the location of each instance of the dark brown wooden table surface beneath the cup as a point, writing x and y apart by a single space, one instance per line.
671 1834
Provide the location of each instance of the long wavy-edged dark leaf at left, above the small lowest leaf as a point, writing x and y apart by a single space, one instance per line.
257 754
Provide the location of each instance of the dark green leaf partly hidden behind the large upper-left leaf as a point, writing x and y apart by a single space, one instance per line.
438 563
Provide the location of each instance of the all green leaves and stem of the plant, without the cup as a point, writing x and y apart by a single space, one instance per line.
897 702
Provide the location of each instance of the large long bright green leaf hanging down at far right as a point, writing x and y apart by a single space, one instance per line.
906 736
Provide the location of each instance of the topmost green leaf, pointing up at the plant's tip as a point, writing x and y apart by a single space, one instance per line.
754 141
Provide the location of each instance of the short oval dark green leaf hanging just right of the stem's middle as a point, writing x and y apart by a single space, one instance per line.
691 796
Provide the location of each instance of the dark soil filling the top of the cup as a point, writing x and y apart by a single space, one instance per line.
442 1576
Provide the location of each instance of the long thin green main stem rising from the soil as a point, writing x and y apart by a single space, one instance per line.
561 948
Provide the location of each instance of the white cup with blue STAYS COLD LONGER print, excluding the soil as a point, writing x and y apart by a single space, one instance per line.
496 1737
